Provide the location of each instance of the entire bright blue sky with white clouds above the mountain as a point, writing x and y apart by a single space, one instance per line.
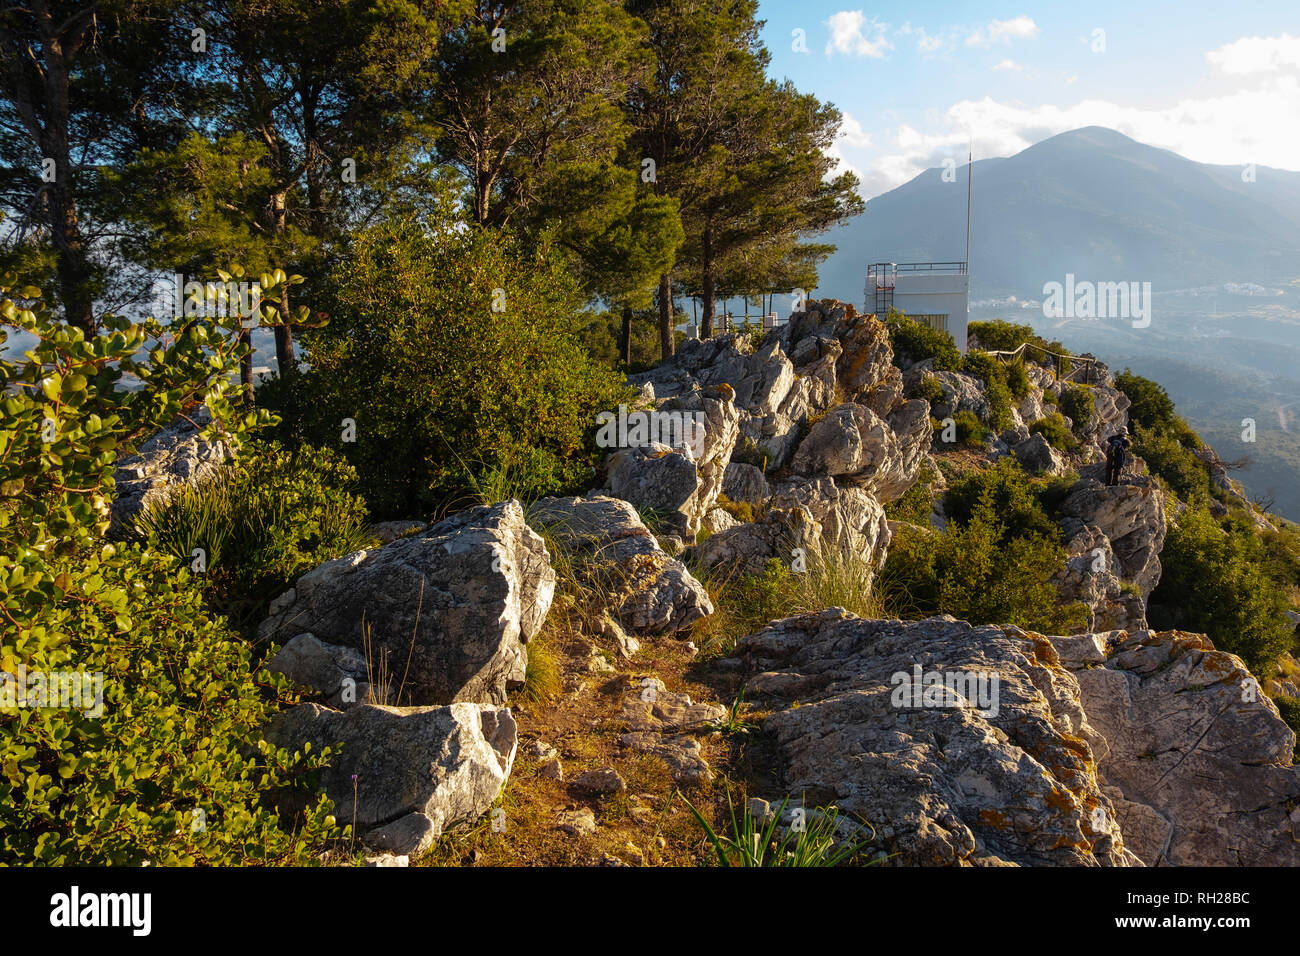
916 81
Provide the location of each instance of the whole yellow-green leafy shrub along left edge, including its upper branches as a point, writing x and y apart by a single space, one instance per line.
172 771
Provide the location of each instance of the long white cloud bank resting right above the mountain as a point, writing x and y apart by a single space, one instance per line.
1259 126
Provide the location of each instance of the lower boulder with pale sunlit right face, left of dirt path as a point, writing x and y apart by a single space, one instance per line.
405 775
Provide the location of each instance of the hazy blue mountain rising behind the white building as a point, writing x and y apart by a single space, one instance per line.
1090 202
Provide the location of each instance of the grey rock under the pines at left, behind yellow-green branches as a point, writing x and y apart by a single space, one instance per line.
174 457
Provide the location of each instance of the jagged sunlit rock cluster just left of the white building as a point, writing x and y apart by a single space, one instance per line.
822 408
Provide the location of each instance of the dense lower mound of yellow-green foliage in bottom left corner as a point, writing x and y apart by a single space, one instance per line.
174 772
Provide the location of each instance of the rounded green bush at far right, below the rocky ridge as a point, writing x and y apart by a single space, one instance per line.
1219 582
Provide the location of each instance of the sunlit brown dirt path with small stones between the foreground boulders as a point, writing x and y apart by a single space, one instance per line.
648 824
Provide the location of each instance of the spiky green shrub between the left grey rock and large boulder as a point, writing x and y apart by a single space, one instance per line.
261 524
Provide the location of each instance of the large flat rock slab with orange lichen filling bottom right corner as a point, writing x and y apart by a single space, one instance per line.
990 746
